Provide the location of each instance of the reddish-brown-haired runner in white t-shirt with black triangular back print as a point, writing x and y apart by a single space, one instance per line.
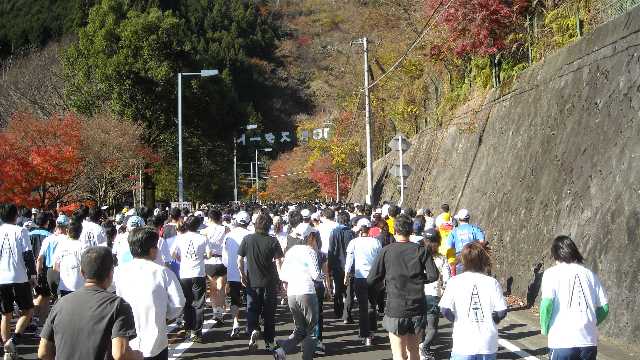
474 303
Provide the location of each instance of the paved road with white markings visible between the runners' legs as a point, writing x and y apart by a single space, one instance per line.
519 339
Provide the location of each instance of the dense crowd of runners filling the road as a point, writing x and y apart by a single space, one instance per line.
97 287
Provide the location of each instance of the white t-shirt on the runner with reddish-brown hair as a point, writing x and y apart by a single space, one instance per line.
473 297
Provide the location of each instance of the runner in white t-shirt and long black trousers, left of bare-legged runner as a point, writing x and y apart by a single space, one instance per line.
191 249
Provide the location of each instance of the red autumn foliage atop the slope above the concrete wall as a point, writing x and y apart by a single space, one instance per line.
476 27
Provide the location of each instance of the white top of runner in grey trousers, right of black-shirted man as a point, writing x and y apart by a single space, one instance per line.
299 270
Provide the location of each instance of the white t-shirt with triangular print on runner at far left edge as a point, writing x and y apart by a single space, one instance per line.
14 241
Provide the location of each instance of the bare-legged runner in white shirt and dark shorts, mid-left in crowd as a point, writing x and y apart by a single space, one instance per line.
214 268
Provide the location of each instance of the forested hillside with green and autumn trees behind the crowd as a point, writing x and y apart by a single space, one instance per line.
285 66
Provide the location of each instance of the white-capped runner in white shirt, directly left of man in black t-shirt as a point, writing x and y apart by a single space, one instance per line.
229 258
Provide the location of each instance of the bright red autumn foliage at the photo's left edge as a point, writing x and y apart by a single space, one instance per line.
38 158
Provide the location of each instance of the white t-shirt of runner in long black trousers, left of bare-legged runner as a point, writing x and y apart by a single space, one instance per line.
191 248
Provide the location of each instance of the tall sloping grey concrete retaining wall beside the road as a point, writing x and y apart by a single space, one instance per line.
558 154
